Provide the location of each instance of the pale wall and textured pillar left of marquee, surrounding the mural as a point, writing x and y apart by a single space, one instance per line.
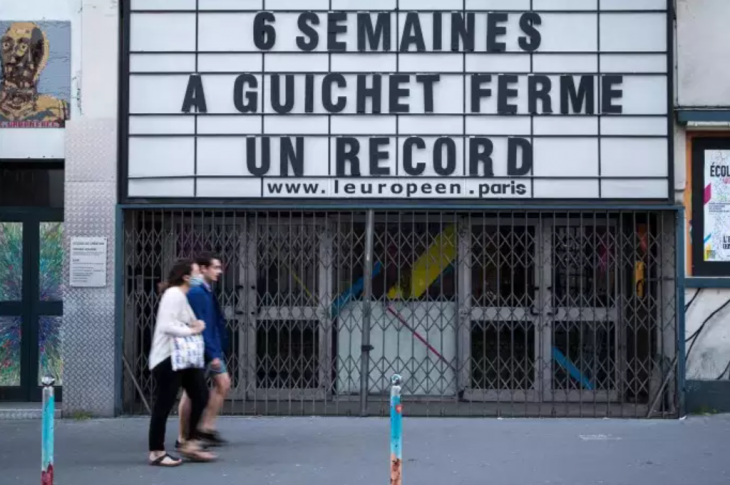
89 147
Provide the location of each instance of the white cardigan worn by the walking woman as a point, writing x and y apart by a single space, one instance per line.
174 317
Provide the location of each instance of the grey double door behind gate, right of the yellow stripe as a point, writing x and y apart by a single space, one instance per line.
541 308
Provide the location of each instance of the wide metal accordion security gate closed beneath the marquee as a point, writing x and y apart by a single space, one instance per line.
499 313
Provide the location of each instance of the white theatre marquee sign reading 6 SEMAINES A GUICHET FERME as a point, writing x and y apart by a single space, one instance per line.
325 99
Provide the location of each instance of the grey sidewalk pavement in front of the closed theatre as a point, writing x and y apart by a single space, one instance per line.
352 451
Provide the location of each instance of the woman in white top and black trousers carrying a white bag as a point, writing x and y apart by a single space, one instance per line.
176 359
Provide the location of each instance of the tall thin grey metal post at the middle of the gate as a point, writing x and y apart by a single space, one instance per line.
366 313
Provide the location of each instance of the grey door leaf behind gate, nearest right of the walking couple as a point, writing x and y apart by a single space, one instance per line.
289 330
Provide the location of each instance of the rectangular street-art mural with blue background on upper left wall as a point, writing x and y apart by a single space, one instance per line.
35 74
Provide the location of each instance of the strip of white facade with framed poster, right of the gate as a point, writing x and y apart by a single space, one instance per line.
703 140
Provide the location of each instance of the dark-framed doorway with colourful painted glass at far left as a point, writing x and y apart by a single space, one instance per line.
31 279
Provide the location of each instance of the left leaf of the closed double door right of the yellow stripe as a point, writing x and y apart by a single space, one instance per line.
501 328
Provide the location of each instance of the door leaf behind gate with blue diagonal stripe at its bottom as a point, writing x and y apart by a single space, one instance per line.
581 349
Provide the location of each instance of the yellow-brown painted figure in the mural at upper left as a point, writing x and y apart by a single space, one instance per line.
24 54
